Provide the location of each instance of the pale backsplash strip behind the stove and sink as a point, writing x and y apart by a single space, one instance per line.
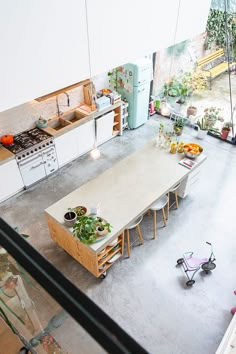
23 117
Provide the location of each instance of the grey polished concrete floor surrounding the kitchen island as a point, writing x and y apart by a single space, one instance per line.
146 294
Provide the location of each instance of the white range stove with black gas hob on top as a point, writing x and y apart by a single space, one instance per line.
35 154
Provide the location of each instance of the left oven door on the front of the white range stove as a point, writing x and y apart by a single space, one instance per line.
32 170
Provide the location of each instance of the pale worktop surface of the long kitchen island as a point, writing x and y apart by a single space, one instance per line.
126 190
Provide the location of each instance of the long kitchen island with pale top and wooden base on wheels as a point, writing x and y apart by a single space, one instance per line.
121 193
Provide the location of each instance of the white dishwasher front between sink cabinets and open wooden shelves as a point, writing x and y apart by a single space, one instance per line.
104 127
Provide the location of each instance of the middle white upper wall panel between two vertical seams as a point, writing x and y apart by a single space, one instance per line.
122 31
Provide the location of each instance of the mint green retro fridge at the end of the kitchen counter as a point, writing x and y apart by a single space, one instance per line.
133 83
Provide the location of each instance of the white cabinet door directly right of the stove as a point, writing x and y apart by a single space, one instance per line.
66 148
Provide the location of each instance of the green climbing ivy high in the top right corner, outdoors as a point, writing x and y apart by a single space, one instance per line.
219 26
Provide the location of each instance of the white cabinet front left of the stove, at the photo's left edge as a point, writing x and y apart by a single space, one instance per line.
10 180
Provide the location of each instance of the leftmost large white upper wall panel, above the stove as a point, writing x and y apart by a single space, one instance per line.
43 48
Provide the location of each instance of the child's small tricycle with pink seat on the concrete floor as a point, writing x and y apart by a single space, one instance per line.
192 264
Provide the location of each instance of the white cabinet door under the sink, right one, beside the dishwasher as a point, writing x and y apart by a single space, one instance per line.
85 137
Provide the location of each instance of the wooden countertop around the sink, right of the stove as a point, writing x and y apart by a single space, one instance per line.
87 118
